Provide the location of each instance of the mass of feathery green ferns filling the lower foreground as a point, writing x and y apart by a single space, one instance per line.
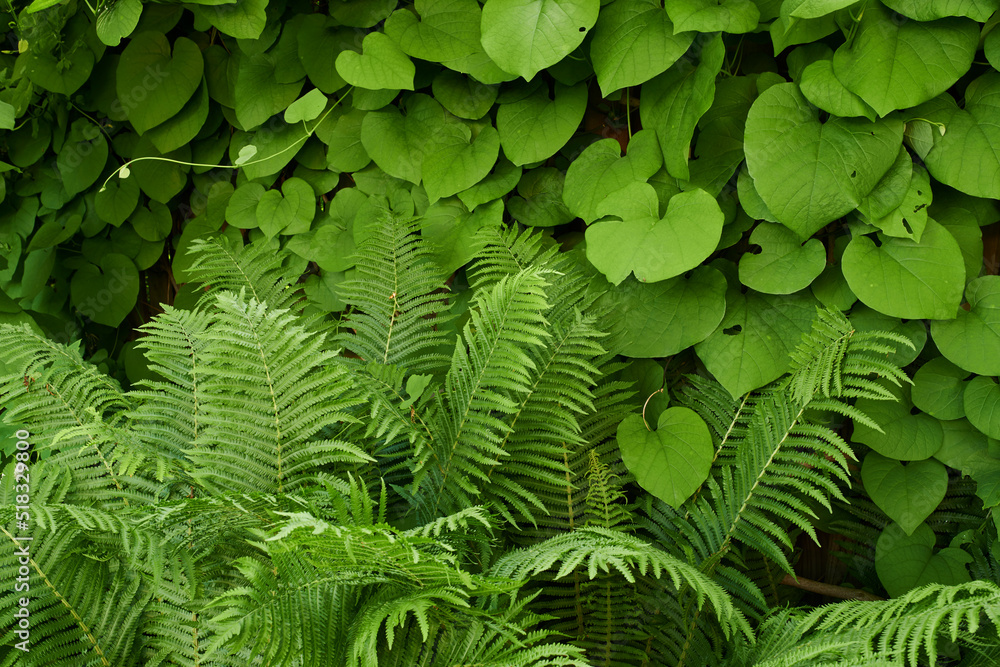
443 490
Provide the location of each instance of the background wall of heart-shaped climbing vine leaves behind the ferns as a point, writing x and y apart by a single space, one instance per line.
727 166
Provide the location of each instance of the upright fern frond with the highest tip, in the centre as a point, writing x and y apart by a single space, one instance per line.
395 299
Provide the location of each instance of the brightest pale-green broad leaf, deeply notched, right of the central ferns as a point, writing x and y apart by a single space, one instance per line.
653 247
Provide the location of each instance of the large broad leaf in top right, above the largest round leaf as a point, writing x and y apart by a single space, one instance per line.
894 64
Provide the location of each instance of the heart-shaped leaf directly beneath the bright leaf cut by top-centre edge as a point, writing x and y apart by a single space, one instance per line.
535 127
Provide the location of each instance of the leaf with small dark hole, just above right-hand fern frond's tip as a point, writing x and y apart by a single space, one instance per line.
751 346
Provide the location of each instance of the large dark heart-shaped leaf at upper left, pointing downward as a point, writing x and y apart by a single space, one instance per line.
154 85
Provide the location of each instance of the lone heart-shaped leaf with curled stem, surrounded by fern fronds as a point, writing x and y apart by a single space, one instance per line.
672 461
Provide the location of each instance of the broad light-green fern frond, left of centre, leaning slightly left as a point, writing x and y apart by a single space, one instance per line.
271 387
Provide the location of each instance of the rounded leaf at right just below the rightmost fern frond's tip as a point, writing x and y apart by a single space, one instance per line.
905 436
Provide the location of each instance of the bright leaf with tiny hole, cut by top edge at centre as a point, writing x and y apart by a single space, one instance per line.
526 36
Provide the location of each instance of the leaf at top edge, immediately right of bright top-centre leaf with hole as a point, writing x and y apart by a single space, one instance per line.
634 41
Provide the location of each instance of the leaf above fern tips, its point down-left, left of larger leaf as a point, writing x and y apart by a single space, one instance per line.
456 164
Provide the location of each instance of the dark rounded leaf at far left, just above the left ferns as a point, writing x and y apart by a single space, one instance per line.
107 294
